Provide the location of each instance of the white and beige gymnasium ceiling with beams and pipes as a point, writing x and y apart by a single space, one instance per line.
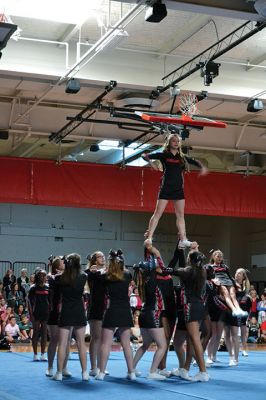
35 67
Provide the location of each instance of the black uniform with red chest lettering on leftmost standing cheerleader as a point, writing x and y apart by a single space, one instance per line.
39 302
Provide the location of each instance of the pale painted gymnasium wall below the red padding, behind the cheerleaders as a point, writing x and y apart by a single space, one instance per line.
32 233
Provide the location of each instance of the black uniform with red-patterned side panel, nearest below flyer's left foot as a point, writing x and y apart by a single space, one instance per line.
151 312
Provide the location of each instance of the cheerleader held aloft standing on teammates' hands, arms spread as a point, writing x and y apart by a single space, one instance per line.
174 163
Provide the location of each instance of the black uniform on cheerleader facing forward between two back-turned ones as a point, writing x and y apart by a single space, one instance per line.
97 295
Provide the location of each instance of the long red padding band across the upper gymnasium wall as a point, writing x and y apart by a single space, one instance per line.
104 186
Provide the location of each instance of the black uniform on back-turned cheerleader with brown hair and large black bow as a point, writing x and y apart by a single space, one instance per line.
118 312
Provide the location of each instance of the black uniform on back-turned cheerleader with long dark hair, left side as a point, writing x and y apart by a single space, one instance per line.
72 311
